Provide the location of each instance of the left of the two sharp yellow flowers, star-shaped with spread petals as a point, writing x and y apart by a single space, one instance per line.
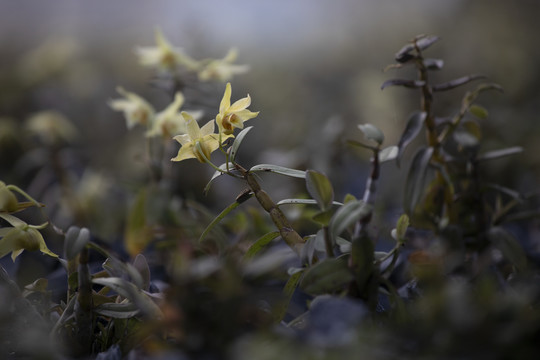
198 143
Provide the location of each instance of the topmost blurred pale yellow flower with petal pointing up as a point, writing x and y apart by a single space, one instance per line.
164 56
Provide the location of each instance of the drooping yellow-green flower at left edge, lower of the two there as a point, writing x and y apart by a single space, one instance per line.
21 237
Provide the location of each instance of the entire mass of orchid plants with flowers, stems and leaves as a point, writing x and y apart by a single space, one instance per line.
260 283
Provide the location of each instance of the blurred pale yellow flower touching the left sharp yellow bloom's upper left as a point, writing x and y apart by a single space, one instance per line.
169 122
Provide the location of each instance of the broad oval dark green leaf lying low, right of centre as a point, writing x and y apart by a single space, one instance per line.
327 276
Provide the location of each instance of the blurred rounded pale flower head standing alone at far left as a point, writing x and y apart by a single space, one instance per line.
51 127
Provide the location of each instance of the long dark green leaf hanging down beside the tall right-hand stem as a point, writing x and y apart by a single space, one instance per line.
414 184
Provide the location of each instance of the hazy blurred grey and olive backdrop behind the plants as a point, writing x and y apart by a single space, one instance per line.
316 72
